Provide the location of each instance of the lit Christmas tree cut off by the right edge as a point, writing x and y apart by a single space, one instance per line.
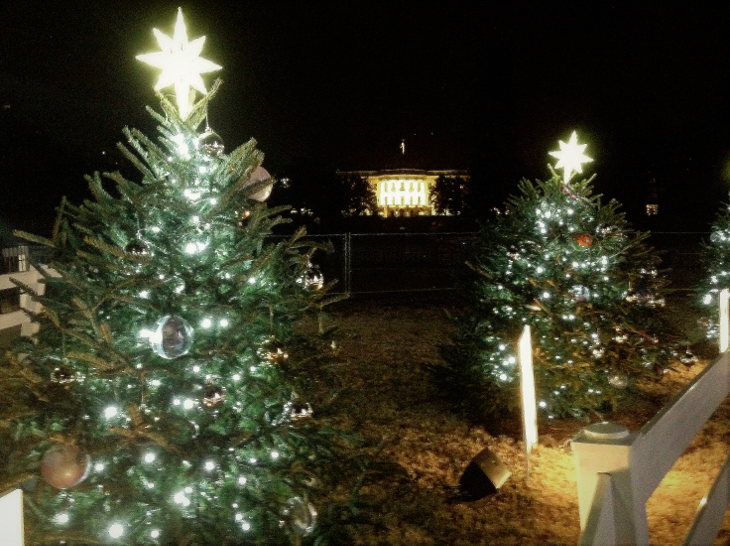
715 261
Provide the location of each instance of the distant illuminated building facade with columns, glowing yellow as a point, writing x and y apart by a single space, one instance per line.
405 192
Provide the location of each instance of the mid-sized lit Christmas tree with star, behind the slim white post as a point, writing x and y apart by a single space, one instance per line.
586 284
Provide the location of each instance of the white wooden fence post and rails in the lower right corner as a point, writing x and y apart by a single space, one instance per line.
618 472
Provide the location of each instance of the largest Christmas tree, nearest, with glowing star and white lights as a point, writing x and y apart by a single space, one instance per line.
173 394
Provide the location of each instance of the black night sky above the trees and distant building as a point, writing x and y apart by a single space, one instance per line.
491 89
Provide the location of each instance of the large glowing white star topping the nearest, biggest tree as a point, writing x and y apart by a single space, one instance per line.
181 64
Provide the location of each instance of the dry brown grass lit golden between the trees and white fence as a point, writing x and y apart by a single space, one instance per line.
385 348
